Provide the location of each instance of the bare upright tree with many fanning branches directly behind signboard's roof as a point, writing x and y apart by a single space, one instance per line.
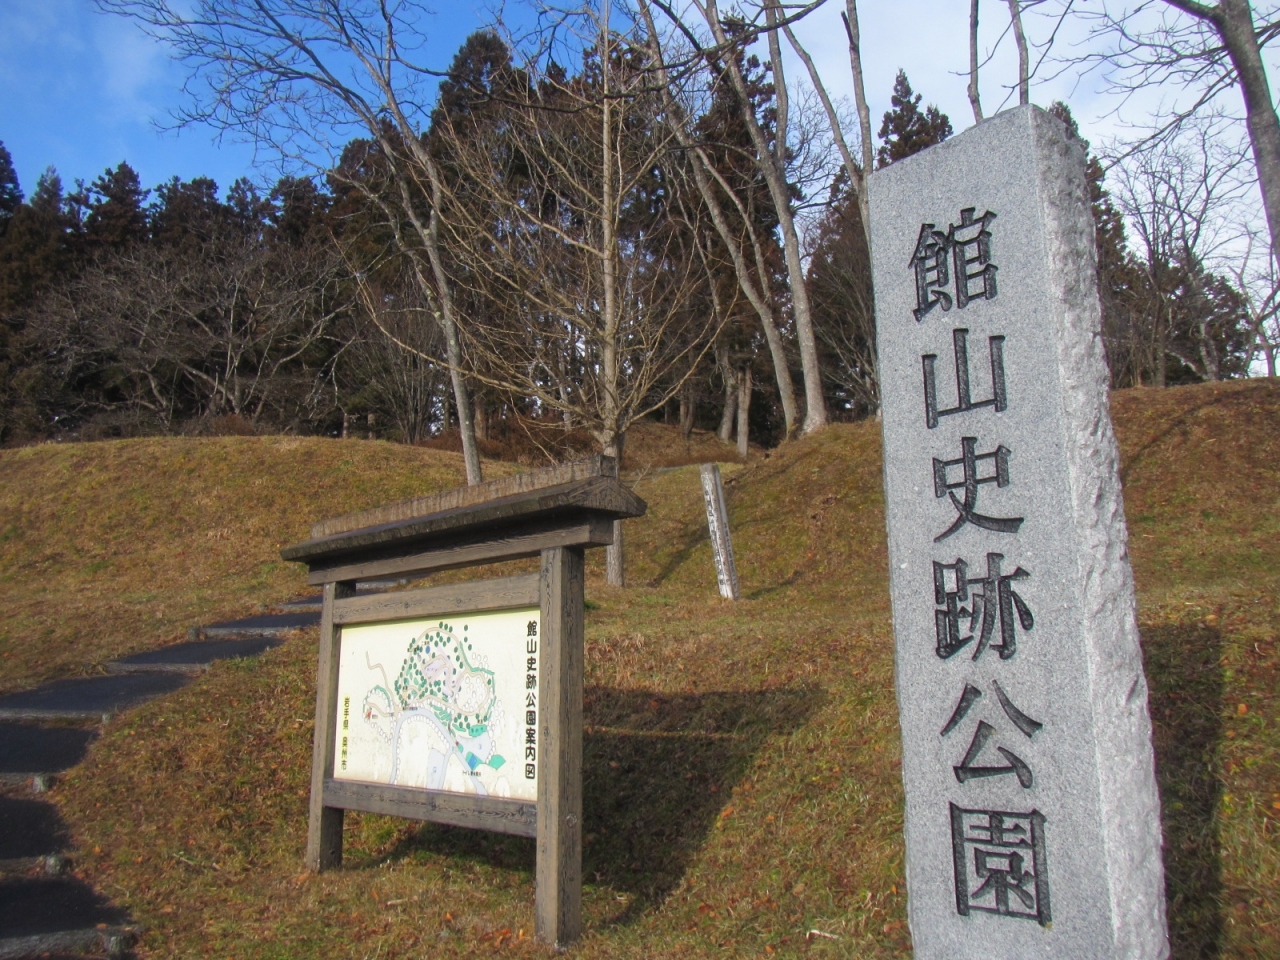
566 214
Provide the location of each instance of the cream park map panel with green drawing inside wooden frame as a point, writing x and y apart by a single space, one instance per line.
444 703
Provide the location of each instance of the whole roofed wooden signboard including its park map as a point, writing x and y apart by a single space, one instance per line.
463 705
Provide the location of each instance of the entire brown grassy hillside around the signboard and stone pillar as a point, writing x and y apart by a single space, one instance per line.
743 793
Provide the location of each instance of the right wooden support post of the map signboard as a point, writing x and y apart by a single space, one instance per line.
559 899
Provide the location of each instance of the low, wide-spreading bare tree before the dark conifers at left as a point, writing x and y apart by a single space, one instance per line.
223 328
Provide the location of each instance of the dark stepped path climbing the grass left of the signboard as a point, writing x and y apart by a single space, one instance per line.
45 732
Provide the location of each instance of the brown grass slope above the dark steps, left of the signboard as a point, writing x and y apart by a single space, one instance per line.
112 548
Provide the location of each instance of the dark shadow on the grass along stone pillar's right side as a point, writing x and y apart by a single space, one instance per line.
1187 687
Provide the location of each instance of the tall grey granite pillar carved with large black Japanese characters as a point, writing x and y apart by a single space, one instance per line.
1032 816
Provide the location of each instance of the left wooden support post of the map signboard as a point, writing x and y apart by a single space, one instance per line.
324 828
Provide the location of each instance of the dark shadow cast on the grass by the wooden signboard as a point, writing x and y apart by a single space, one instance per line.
657 771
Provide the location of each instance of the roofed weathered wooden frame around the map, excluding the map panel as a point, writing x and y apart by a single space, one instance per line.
554 515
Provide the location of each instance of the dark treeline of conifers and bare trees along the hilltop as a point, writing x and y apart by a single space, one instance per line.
556 253
